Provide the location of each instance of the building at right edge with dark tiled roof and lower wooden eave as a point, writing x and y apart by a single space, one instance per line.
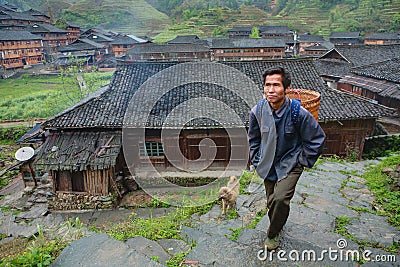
379 82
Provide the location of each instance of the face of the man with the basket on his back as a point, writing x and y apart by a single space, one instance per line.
274 91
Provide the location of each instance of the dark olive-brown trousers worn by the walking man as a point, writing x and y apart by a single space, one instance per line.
279 195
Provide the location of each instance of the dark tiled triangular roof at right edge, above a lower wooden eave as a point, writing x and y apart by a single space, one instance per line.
388 70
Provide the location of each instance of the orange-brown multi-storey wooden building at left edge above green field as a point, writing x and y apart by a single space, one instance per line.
20 48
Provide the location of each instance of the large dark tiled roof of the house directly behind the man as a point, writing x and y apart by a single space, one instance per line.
108 109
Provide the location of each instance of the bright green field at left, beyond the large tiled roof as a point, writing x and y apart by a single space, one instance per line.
41 97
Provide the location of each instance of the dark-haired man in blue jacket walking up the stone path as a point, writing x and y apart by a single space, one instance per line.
284 138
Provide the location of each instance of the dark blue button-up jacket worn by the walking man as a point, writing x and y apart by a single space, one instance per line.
286 146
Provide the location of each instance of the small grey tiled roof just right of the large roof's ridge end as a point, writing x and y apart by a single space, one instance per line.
332 67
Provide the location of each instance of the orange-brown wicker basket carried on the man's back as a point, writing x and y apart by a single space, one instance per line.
309 99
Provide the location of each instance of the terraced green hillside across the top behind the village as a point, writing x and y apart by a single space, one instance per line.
213 18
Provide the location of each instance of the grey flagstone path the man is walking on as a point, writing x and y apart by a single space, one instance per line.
325 193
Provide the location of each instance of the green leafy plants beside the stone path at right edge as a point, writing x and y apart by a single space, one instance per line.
378 183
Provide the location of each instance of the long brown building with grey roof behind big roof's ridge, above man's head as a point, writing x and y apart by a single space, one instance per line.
242 49
